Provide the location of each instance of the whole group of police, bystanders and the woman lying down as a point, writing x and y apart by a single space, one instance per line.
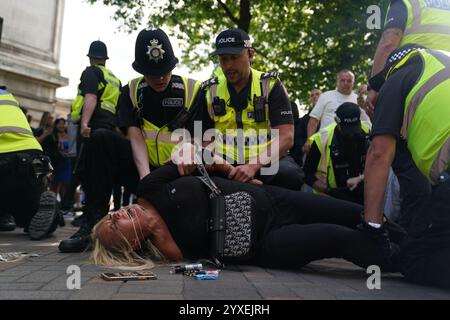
363 176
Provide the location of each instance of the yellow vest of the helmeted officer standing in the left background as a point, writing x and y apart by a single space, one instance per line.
108 100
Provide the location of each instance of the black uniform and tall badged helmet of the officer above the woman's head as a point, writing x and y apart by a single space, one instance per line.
112 162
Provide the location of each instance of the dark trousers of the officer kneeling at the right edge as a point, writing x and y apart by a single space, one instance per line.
425 255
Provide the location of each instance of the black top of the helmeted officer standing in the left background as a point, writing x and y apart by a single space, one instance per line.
89 81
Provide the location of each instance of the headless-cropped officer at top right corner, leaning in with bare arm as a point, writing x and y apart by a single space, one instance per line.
411 21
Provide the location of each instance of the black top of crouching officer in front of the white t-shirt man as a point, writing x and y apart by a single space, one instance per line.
347 160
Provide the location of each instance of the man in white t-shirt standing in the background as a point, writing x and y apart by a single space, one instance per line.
325 109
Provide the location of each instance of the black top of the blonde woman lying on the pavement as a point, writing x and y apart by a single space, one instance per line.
183 203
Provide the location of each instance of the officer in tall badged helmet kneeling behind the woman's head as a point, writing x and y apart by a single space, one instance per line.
150 107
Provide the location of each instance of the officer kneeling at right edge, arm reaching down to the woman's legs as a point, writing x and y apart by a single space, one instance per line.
413 117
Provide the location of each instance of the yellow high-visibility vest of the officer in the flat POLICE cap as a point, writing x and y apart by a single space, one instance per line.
255 136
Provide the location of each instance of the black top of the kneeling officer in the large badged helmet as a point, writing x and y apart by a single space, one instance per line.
158 108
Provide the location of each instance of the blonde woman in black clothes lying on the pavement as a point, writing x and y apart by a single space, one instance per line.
292 228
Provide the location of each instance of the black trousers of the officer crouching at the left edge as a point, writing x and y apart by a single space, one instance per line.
20 190
